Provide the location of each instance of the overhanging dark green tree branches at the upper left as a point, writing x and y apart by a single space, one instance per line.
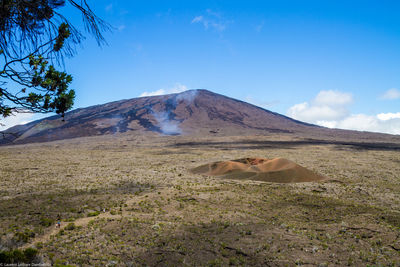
34 39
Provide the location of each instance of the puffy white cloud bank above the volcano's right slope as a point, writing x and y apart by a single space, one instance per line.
331 109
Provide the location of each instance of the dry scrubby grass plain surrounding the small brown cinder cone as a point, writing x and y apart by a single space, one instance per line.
158 213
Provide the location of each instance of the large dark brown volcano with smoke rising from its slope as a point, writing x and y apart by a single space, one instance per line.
193 112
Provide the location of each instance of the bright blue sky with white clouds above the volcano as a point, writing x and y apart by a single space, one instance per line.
334 63
